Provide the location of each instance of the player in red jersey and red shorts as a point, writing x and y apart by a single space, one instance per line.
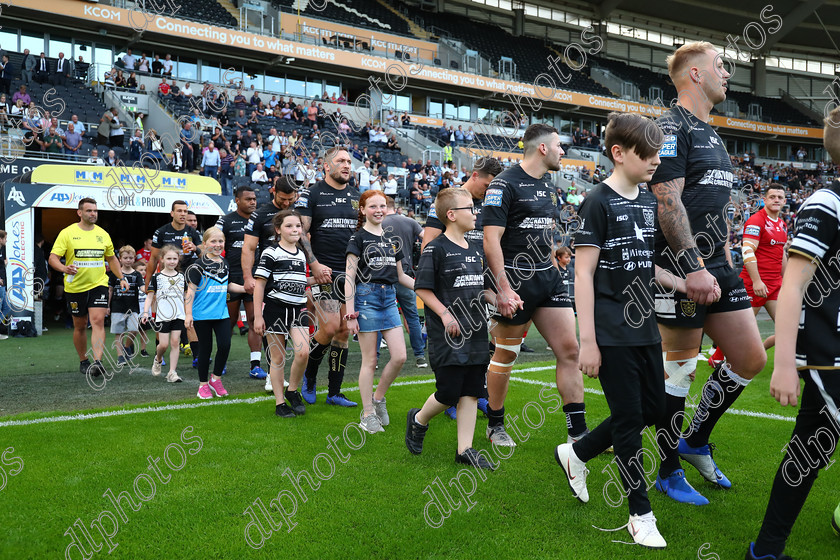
763 247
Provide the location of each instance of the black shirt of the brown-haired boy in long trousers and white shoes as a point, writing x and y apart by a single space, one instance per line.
623 230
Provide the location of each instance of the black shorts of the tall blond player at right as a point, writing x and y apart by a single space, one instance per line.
678 311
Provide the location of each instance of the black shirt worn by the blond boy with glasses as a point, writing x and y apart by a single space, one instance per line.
456 276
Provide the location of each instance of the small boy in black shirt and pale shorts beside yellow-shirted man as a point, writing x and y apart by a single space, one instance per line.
124 305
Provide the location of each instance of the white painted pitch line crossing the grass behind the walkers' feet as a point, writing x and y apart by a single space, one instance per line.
252 400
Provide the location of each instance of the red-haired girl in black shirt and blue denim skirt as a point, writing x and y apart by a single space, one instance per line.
373 270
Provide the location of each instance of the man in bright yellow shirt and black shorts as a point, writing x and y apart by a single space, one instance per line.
85 247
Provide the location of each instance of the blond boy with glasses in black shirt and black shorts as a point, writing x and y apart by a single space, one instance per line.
450 281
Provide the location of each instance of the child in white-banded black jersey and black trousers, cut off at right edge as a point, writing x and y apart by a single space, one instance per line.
807 348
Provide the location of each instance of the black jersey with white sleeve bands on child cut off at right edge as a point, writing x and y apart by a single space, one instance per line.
817 237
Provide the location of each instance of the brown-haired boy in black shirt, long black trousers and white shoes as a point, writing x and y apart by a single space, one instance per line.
614 251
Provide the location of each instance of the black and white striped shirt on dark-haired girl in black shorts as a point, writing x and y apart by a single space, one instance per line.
285 274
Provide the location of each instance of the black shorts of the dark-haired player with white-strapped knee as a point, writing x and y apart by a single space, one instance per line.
542 288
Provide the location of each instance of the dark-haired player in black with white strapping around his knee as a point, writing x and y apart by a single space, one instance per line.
519 209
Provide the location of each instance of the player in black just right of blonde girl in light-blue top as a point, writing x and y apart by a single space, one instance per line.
233 226
